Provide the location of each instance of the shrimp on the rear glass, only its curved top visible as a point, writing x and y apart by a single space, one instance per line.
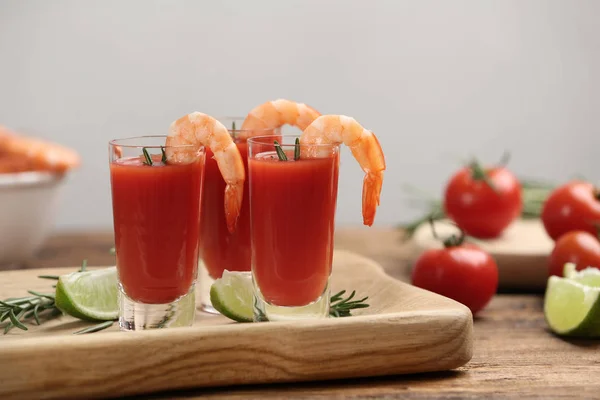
274 114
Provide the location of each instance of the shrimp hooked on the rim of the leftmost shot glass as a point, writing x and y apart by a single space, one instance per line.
199 129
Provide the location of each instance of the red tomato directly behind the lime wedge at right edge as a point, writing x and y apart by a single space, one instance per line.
578 247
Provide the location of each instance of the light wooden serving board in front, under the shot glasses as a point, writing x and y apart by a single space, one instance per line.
405 330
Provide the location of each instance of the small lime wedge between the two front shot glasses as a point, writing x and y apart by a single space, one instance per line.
233 295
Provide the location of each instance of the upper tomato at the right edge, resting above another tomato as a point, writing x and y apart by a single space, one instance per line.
573 206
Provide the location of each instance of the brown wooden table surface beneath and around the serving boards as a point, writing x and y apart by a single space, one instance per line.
515 355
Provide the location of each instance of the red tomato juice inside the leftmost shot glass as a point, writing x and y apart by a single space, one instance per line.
156 212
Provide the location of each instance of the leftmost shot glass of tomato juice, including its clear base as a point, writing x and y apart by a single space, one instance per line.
156 218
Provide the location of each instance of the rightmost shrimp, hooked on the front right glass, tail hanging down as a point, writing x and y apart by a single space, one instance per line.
337 129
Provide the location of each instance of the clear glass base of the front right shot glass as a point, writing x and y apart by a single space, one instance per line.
264 311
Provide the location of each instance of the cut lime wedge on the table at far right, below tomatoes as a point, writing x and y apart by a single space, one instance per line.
572 306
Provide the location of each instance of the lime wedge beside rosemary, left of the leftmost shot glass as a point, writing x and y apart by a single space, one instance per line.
90 295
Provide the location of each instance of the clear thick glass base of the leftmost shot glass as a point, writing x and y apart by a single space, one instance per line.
135 316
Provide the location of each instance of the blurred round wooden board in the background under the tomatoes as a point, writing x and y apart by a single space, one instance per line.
521 253
